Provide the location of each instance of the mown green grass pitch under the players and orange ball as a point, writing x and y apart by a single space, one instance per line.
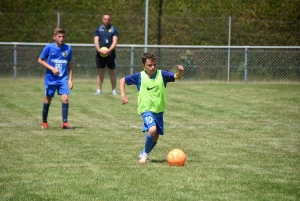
241 140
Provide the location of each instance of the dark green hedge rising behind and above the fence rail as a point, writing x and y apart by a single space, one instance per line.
189 22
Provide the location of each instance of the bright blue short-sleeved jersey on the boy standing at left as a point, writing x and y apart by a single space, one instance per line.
58 57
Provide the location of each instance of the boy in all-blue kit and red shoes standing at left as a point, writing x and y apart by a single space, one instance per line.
56 58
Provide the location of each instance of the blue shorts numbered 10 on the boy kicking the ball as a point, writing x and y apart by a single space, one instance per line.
153 119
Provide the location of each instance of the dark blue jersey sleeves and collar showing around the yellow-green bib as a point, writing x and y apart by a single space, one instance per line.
136 78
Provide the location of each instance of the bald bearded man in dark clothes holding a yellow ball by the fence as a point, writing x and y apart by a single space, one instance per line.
105 41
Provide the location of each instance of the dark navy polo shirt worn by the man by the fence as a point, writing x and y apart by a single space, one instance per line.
106 35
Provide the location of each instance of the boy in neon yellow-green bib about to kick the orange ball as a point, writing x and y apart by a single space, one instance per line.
151 85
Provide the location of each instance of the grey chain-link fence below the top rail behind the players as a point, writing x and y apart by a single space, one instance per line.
202 63
